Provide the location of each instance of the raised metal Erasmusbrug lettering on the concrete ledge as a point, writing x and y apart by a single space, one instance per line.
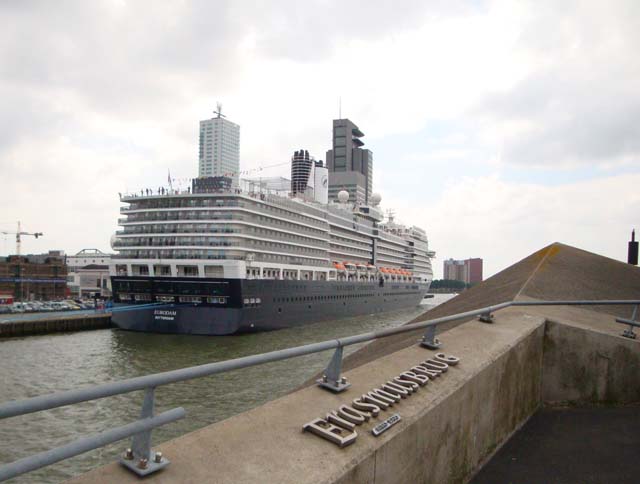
339 426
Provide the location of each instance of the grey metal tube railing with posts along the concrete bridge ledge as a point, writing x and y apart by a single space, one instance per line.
142 460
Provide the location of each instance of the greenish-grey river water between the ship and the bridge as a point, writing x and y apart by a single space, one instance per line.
38 365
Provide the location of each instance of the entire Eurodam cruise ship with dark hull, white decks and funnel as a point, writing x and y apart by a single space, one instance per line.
219 258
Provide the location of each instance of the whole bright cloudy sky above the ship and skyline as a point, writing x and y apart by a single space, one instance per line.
497 126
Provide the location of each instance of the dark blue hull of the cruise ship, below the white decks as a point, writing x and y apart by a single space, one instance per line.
230 306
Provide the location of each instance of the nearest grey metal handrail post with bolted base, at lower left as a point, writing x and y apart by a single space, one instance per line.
137 458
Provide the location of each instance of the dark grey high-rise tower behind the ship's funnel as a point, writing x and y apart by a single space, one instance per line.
350 166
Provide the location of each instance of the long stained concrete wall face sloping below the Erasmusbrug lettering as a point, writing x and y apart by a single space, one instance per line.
448 442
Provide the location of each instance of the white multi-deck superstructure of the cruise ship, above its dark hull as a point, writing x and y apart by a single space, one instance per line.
259 233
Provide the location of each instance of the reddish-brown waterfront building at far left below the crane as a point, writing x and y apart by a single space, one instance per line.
34 276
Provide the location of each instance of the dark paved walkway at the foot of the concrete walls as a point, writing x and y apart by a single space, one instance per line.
570 446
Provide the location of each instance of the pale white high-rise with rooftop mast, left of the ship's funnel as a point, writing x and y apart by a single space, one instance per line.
219 148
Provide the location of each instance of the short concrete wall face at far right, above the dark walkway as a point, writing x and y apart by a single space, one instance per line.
586 366
